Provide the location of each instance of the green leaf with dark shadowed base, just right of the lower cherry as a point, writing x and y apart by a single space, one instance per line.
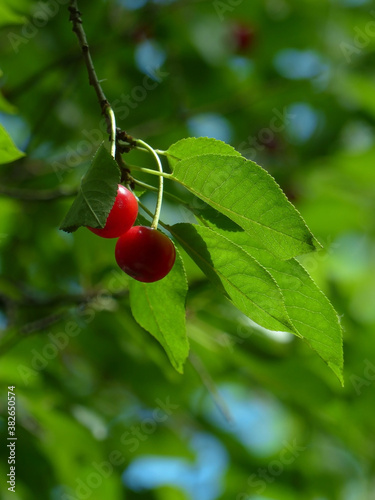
249 285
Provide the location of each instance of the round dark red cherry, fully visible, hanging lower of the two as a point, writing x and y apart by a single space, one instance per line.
145 254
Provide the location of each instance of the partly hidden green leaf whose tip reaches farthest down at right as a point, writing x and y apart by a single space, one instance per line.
312 315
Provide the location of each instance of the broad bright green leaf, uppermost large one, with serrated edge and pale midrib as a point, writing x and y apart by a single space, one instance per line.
248 195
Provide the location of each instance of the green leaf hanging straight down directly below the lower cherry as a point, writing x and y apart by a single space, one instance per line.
160 309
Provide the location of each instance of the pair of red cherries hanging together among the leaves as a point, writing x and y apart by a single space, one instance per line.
143 253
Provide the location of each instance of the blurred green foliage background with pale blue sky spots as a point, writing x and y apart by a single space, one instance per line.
256 415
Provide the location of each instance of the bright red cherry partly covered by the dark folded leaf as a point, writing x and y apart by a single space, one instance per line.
122 215
